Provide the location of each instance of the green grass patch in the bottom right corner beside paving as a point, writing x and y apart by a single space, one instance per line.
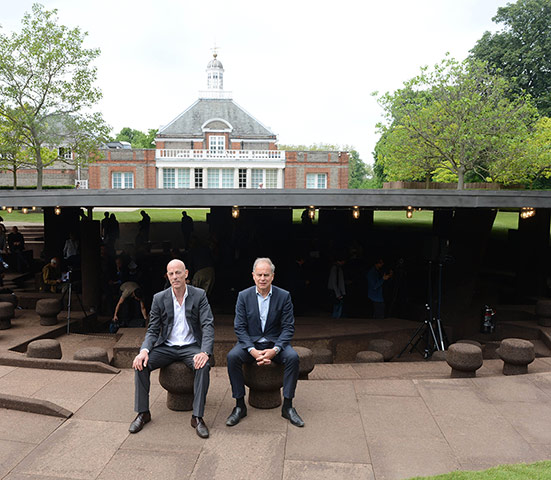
521 471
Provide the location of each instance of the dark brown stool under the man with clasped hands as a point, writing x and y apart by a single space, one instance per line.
264 384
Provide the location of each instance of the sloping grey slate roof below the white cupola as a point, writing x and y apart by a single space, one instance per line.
189 122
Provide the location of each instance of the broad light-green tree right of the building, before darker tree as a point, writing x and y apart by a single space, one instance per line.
457 116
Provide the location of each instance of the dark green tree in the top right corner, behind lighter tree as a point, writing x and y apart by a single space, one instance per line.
521 50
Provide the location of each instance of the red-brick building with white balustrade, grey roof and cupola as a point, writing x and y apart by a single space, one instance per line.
214 143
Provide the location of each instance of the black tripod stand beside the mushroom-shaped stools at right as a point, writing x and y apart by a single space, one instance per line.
432 338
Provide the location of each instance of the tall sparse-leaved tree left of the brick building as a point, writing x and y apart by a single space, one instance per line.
46 84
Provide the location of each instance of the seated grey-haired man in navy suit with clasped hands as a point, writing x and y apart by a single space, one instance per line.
264 324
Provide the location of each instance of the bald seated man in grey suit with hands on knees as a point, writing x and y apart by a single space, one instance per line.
181 328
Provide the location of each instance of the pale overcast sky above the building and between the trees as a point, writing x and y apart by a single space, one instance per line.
305 69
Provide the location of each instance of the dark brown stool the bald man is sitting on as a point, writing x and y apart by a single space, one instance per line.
177 379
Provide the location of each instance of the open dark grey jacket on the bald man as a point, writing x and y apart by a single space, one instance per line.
198 315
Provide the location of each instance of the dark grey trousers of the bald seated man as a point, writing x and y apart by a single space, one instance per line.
161 356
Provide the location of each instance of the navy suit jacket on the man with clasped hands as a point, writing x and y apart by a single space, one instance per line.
280 324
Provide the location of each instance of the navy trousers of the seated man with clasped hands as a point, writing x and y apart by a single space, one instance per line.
239 355
